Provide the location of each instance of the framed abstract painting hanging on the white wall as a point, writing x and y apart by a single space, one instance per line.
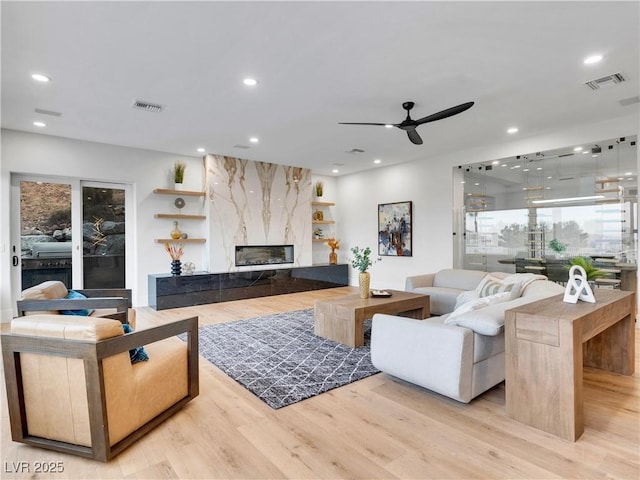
394 229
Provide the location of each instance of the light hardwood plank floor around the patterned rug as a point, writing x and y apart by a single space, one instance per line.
378 427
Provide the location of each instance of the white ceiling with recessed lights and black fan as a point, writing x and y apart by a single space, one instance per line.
318 63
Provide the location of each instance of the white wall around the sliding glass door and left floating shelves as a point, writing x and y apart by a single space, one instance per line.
27 153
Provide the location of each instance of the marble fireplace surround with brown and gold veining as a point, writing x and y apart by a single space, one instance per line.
256 203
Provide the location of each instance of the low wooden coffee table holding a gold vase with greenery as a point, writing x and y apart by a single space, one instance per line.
342 319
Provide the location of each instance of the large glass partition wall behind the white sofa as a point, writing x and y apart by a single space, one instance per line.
531 210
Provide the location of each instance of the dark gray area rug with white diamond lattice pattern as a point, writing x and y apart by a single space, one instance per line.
279 359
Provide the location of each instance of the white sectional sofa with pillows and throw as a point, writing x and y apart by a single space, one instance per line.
460 352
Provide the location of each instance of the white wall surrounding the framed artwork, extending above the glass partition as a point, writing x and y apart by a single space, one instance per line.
428 183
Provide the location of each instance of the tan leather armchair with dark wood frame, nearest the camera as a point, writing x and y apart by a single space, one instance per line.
73 388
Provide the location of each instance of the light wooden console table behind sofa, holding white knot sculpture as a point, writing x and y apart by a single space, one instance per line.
547 344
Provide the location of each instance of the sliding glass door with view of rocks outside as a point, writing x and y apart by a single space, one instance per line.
69 230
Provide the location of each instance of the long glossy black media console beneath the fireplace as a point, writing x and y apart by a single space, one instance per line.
167 291
